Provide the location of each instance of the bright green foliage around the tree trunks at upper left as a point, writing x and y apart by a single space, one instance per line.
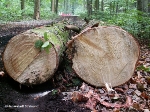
10 10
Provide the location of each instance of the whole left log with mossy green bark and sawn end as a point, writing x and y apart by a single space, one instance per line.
29 65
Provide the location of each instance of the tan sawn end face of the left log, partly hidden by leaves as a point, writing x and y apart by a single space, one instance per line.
27 64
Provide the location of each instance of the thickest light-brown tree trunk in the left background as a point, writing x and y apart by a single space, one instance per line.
36 9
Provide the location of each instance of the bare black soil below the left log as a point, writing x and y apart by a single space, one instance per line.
33 99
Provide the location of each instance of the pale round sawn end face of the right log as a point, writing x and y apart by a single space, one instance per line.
105 55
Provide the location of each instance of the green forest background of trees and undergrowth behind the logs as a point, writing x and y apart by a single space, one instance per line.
131 15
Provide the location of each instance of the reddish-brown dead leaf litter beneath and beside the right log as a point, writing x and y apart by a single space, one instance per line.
133 96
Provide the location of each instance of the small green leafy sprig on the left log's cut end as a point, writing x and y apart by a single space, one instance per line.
40 44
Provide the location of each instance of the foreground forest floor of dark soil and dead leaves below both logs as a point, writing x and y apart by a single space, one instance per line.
65 92
